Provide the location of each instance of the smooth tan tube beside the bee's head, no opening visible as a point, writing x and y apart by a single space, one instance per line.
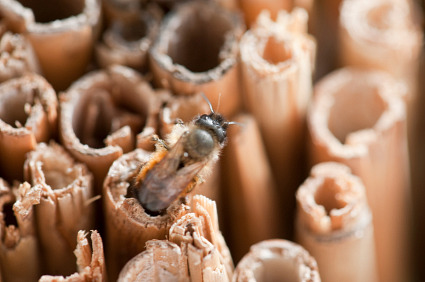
250 194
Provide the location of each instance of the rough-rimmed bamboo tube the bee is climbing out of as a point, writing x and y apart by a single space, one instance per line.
128 226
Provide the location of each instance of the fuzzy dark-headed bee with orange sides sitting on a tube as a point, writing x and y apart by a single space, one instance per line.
173 172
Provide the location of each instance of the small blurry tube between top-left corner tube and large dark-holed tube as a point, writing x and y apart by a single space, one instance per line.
127 41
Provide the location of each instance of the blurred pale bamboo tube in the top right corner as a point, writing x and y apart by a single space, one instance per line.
370 32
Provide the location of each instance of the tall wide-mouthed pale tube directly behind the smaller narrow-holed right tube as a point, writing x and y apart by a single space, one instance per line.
358 118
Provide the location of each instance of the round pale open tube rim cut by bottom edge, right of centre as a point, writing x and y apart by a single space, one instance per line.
276 260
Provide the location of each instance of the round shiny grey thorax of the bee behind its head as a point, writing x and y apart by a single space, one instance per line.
200 143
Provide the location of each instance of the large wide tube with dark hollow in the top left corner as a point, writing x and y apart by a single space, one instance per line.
62 35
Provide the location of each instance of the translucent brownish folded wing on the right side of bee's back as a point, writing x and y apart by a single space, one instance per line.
159 190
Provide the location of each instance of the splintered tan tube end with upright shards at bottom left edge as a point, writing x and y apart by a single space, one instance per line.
90 261
